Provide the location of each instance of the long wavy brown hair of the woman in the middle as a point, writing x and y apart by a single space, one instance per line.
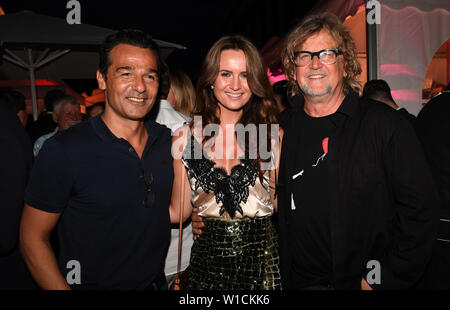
261 107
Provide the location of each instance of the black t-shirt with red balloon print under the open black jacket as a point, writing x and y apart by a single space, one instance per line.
310 211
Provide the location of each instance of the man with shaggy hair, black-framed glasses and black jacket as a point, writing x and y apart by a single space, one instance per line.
357 204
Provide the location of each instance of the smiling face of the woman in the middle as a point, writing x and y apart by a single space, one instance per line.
231 87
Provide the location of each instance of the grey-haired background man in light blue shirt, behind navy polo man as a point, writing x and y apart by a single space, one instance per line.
66 113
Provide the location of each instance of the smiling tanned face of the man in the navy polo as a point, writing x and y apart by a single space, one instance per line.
132 82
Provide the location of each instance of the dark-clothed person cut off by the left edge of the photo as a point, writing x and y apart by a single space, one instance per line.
15 164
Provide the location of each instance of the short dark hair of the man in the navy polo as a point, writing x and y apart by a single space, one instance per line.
132 37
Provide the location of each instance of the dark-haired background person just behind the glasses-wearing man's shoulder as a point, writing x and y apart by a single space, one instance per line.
379 90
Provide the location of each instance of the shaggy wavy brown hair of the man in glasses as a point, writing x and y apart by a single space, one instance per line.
310 26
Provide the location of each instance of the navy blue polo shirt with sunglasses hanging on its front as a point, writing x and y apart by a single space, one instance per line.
95 181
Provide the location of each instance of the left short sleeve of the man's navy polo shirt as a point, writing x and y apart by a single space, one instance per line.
51 179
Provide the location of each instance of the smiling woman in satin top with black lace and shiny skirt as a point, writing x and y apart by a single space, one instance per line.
226 159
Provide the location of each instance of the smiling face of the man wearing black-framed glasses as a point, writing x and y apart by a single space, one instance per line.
317 79
